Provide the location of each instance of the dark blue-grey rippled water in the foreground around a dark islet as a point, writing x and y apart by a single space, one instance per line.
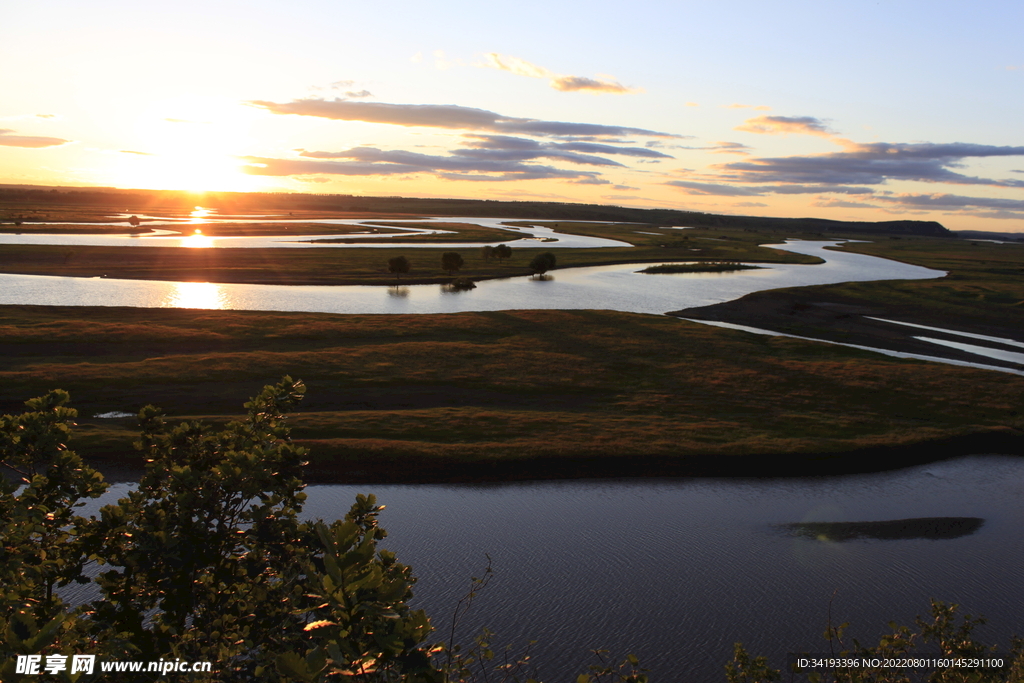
678 571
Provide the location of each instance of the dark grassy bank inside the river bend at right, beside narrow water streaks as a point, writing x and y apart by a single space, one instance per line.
984 293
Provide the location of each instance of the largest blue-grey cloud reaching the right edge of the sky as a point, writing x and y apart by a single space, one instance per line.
872 164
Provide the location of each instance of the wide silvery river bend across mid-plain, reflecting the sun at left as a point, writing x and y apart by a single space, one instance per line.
611 288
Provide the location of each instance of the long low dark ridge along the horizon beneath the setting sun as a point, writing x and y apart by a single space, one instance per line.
140 200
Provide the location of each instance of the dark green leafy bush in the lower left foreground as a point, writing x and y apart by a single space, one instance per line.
209 562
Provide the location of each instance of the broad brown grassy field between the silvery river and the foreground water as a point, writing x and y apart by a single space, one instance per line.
513 395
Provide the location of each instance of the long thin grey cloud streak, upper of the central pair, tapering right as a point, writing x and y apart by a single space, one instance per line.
445 116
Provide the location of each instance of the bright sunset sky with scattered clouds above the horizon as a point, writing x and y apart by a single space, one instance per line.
850 111
